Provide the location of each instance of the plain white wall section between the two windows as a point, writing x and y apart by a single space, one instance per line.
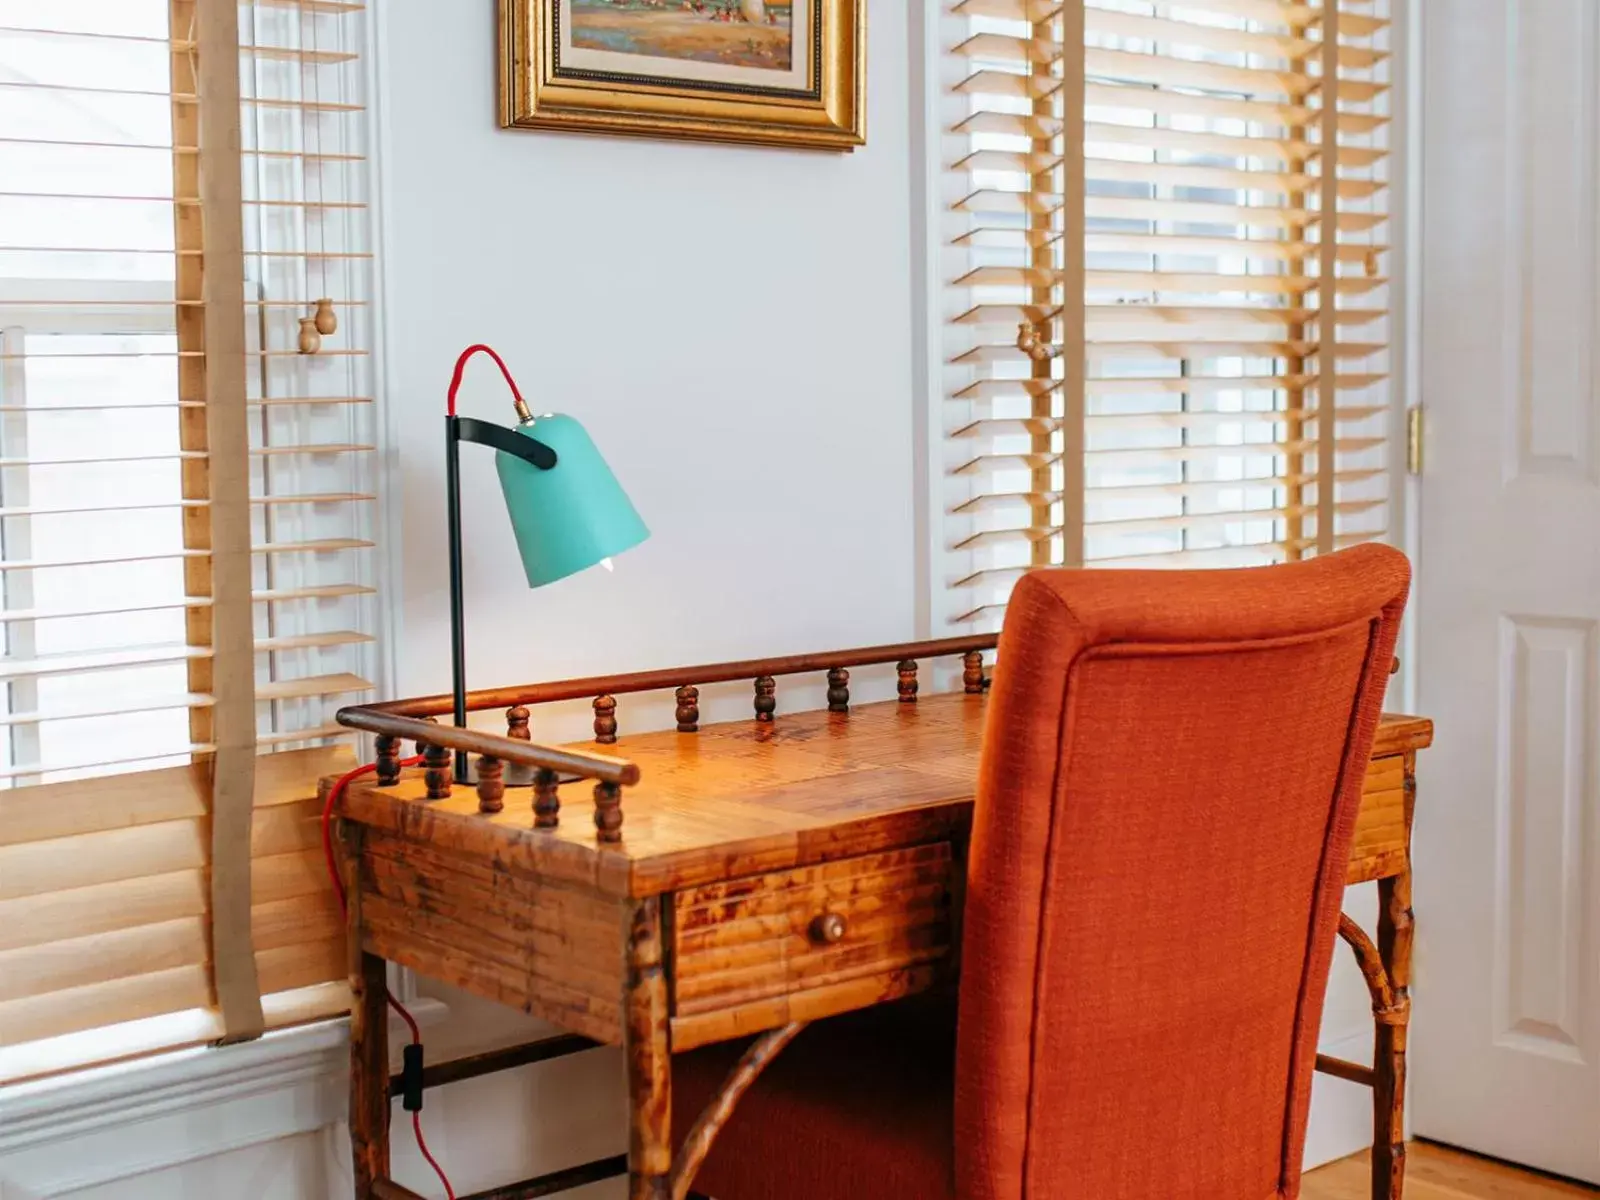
734 327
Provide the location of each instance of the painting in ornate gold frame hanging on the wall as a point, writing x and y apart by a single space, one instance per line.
782 73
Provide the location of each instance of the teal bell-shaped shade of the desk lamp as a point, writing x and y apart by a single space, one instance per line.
575 514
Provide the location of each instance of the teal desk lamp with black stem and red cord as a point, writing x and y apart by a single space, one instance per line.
567 510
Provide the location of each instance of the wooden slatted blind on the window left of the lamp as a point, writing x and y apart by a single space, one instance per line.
186 513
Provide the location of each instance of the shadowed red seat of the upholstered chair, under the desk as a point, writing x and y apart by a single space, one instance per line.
855 1106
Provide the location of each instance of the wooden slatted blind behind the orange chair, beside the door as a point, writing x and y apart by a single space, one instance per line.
1169 313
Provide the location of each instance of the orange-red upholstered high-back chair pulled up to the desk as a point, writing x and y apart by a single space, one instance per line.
1170 780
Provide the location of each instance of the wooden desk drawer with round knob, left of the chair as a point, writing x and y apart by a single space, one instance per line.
769 948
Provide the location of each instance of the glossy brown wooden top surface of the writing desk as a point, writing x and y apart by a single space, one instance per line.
806 788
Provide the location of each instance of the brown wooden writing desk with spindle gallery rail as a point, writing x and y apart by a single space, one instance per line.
769 873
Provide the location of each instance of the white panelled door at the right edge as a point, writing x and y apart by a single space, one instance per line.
1506 1031
